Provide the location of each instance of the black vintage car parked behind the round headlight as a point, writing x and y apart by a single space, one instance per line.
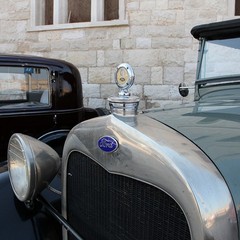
39 97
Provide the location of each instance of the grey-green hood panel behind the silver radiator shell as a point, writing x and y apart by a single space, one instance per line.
215 129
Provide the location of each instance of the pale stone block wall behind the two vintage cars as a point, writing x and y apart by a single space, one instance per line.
156 42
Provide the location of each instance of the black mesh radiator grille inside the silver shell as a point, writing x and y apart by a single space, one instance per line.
108 206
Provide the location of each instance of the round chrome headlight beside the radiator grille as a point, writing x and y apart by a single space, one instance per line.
32 165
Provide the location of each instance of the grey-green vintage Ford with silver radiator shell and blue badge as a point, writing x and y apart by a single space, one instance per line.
168 174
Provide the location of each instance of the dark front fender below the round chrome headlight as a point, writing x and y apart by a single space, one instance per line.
18 222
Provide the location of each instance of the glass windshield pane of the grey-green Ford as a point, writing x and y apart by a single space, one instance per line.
220 58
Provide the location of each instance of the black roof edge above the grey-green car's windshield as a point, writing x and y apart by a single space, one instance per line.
217 30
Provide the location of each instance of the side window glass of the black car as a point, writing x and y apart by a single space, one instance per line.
23 87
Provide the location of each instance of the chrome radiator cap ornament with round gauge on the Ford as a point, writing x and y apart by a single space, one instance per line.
124 104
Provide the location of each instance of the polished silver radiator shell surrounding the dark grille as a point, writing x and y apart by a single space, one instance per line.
151 152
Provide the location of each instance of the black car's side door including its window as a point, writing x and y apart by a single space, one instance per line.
25 102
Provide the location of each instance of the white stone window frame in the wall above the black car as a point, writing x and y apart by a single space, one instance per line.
60 18
